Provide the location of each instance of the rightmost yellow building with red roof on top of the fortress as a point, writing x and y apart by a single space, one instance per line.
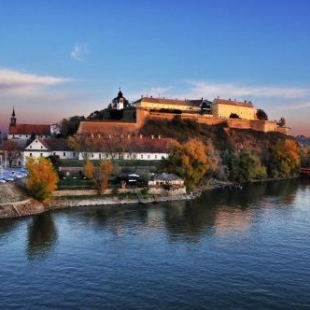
223 108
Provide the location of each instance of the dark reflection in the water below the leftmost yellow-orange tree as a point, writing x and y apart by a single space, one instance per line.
42 235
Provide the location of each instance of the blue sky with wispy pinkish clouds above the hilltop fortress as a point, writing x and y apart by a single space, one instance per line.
63 58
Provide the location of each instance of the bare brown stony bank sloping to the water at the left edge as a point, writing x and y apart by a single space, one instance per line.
14 202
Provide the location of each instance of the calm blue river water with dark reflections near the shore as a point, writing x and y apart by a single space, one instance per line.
246 249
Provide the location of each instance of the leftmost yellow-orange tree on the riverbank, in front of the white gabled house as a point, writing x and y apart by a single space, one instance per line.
42 178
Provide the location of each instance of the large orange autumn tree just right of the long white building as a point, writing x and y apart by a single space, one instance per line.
189 161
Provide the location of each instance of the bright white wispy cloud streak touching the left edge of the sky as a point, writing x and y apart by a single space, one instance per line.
14 79
